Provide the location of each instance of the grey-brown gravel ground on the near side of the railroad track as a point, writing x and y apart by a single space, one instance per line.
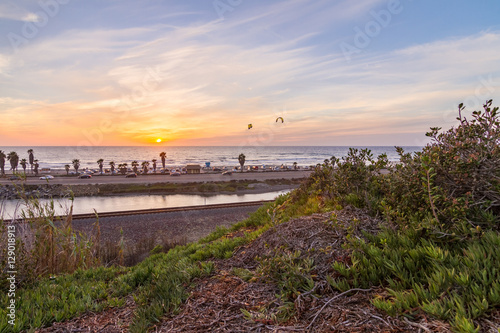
191 225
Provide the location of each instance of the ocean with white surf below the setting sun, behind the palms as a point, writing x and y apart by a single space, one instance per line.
55 157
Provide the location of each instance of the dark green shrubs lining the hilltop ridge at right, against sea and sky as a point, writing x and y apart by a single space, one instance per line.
451 188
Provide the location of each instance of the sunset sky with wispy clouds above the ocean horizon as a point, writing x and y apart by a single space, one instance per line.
339 72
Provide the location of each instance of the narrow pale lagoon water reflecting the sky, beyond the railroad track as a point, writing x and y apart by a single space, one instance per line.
10 208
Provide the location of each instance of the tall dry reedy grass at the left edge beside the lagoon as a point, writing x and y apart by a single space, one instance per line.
47 244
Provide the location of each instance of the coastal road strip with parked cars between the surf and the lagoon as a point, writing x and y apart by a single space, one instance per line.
151 179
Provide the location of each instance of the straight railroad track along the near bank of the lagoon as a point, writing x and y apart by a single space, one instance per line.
165 210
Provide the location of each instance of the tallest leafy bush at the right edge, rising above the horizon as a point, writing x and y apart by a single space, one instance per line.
454 181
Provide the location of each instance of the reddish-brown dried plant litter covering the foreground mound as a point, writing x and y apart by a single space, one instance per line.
216 302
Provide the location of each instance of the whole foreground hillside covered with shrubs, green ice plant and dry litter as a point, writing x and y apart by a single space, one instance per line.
362 245
